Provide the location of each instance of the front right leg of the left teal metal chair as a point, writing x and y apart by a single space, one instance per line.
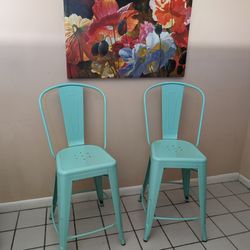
116 202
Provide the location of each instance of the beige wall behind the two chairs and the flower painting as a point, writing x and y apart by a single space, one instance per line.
33 58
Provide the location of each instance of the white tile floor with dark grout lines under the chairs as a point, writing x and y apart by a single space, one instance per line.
228 223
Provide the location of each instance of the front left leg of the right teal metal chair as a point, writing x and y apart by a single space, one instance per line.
155 177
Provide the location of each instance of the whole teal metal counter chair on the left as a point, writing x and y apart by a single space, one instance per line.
78 160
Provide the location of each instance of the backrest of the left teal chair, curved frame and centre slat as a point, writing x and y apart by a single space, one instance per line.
72 106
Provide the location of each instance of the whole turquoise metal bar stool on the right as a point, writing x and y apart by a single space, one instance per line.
171 152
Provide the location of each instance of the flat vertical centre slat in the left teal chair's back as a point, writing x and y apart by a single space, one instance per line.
72 104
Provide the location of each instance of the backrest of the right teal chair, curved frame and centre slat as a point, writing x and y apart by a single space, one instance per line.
172 96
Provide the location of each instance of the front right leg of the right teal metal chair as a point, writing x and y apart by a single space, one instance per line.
202 200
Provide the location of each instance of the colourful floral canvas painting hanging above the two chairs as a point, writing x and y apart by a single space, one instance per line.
126 39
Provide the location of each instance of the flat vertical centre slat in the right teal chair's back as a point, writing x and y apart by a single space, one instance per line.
172 96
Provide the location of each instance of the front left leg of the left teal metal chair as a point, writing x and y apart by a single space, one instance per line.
64 203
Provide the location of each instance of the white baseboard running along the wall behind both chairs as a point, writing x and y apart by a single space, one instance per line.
46 201
